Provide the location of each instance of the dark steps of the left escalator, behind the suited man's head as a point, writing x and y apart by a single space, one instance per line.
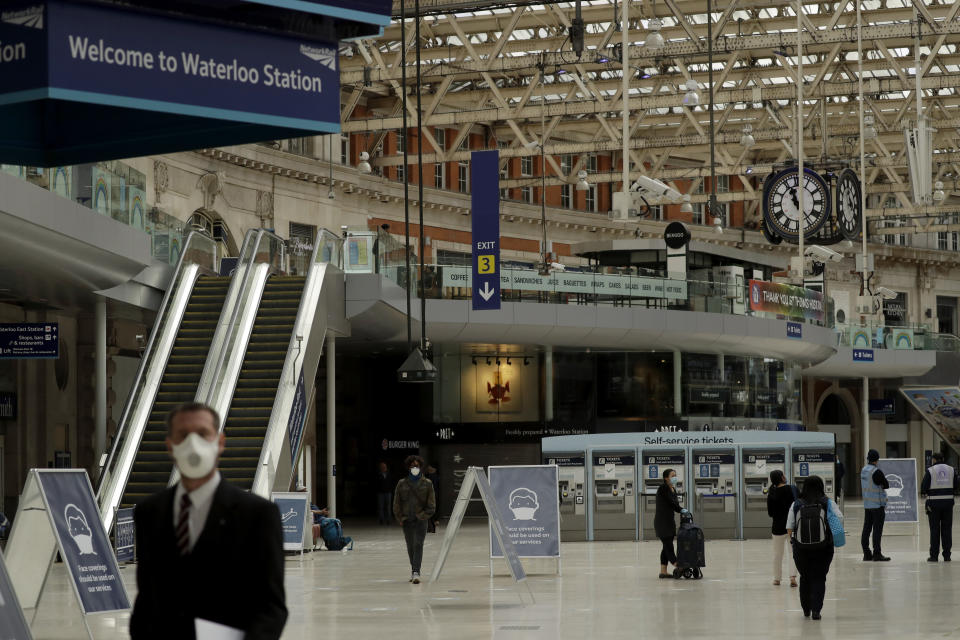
152 465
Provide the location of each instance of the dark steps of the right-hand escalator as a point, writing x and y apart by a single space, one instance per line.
259 378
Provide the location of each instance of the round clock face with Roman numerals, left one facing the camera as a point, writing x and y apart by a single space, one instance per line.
782 204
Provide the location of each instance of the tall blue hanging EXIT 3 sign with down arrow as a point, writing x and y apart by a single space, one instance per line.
485 212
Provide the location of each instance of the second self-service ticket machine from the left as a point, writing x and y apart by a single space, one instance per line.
614 496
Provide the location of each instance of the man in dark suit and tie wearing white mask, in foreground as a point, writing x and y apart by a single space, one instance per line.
206 550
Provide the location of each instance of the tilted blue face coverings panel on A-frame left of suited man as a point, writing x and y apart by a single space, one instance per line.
83 542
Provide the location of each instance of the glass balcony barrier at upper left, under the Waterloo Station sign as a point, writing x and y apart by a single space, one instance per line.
112 189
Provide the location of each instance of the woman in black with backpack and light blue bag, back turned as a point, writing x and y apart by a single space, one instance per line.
808 524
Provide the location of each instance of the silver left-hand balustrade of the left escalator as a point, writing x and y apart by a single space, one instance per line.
185 263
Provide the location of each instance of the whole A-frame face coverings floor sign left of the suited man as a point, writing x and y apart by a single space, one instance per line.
58 511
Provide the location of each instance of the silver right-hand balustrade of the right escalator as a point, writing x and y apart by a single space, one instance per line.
307 336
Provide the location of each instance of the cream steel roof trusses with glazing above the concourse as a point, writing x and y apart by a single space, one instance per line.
507 70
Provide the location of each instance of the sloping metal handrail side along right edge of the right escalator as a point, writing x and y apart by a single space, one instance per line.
293 360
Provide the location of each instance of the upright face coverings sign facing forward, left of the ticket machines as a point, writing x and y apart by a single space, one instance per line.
528 497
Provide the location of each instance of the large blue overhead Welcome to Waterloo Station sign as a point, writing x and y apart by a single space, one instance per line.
131 83
